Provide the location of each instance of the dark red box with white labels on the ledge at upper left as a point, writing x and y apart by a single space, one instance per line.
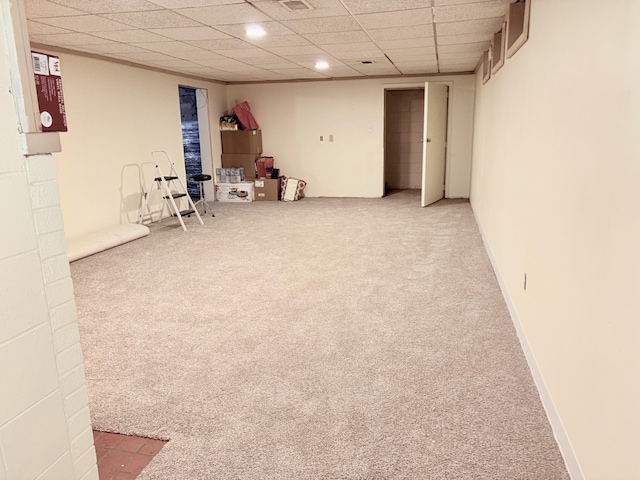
46 69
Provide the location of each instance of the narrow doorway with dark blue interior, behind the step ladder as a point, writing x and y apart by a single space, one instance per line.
196 140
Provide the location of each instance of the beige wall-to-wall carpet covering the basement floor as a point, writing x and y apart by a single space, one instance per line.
319 339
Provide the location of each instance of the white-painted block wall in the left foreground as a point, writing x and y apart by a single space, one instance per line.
45 430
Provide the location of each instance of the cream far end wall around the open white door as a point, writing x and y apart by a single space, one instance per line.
293 116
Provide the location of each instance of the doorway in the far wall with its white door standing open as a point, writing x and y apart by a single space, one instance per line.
415 134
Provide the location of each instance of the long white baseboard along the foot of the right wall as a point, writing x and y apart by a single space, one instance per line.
559 432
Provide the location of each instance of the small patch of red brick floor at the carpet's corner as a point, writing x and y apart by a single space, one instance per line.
123 457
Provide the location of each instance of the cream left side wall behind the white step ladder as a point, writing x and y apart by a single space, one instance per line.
117 115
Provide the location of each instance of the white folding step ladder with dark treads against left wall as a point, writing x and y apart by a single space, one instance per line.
169 197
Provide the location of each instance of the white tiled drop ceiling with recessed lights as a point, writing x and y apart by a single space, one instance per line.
207 38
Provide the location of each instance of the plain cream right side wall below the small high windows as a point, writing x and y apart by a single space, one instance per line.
556 168
